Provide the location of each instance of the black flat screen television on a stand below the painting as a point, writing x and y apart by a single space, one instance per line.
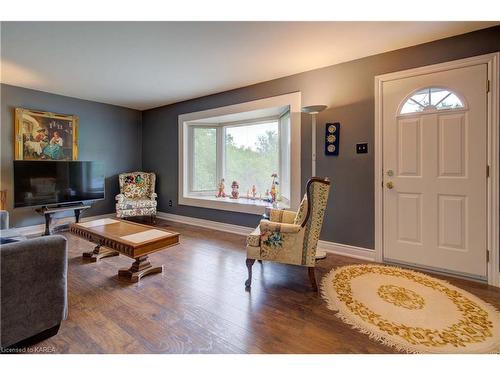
41 183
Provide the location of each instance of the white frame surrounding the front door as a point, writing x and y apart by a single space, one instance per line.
492 60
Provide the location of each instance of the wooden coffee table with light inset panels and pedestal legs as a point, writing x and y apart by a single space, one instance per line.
113 237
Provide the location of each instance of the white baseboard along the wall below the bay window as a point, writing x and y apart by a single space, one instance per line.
329 247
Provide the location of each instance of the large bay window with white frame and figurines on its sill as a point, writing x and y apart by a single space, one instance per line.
247 147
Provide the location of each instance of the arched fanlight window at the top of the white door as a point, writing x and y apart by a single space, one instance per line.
431 99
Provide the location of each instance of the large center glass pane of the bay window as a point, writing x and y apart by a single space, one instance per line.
251 156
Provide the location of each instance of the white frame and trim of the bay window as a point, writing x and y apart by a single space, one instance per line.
206 199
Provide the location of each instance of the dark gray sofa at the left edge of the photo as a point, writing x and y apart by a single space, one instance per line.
33 283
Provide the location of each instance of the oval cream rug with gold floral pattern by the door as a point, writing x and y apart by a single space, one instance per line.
410 311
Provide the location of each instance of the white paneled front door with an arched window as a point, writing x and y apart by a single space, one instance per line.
435 170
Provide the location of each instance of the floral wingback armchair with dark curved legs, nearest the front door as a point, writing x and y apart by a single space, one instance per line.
291 237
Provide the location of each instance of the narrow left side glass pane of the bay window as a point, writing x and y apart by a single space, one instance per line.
204 174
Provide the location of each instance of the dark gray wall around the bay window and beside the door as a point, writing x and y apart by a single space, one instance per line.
348 90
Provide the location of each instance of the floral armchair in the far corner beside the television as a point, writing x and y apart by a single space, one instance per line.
137 195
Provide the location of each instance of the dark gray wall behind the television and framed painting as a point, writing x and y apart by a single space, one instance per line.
107 133
